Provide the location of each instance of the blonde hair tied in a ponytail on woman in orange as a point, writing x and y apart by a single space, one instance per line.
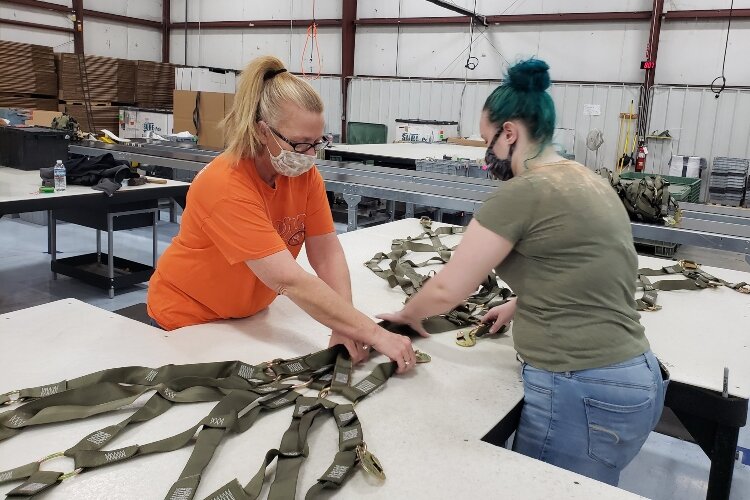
258 98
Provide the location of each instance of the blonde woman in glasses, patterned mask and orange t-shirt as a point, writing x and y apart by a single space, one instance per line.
248 213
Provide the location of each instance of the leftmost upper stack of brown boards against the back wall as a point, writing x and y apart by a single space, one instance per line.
27 75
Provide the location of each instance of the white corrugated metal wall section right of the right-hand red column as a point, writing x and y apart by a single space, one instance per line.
700 125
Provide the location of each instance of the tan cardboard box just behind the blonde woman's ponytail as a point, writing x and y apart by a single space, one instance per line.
212 107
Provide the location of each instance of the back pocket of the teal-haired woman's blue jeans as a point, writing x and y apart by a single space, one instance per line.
616 432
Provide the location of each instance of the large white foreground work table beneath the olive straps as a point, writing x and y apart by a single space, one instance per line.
425 427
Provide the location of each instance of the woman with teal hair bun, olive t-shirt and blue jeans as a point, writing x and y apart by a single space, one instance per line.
560 237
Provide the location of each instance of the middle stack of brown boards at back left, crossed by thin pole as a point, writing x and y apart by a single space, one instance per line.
110 80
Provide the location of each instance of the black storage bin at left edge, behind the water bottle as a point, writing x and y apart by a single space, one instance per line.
32 148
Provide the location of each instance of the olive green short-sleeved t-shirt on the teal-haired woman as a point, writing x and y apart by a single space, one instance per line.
573 267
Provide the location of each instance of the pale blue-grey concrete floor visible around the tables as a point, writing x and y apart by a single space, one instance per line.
664 469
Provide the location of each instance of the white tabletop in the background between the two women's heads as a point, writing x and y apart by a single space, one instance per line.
412 151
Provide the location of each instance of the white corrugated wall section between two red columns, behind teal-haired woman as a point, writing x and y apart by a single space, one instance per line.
383 100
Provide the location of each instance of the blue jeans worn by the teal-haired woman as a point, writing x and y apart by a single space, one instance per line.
592 422
